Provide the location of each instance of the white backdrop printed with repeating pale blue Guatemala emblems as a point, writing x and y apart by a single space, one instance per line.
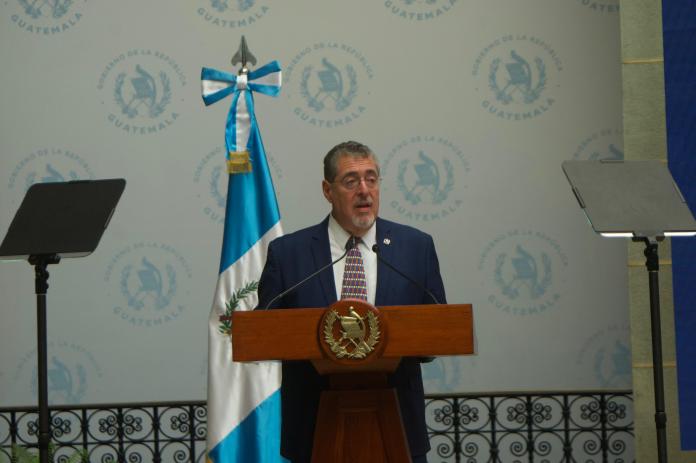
470 105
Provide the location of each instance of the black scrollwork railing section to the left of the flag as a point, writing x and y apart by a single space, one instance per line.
134 432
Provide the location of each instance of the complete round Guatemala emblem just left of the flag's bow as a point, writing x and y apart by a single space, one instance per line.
141 91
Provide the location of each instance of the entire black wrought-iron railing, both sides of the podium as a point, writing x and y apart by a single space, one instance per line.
470 428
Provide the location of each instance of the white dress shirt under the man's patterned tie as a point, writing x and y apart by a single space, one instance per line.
338 238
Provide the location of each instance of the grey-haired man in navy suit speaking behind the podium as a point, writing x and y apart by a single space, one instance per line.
351 186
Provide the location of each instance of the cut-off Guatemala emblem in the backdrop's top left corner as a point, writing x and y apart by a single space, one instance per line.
45 17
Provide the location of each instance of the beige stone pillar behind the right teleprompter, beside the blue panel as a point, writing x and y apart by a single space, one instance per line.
645 138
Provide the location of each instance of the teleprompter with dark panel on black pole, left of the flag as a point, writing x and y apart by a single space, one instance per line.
57 219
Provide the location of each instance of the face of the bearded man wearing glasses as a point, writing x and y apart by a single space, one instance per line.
354 193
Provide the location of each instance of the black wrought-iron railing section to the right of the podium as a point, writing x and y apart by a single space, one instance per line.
566 427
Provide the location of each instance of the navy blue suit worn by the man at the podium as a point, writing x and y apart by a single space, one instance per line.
293 257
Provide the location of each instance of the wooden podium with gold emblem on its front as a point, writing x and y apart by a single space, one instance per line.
357 345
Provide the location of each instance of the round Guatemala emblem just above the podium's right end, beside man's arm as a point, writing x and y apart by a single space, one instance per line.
523 272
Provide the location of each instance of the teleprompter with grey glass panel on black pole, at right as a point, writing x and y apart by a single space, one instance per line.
637 200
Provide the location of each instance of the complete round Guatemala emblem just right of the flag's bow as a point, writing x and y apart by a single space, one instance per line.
328 84
